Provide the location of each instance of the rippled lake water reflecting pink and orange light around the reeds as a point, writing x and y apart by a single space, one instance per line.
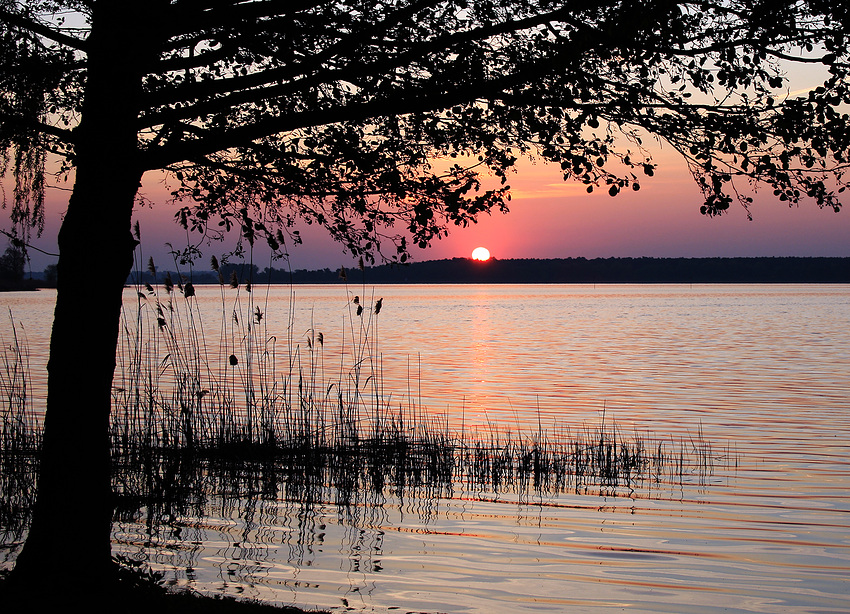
762 373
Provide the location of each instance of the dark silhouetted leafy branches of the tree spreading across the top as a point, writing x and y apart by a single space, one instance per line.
364 116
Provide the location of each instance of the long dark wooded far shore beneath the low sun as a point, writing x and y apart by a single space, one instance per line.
559 270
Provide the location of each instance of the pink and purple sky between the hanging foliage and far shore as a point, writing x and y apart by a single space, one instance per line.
551 218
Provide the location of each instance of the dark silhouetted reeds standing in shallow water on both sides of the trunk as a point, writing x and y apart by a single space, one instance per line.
244 413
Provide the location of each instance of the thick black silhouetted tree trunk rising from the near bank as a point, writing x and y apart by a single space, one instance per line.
68 548
